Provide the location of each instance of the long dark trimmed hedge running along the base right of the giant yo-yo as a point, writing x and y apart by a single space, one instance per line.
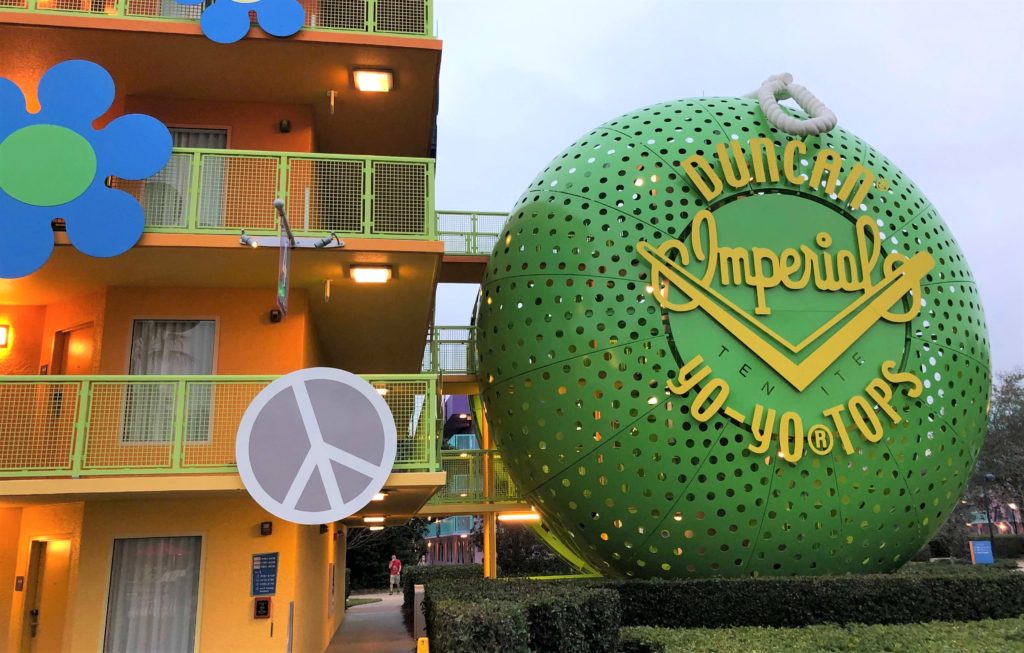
805 601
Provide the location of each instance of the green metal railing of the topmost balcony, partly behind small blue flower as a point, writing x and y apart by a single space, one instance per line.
399 18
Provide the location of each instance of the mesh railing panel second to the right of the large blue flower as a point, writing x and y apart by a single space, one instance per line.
238 192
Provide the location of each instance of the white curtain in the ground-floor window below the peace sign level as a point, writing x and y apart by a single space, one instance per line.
154 595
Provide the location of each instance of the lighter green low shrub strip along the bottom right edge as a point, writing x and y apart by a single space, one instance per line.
1004 635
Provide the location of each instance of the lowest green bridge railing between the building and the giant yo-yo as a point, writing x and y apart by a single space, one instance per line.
475 477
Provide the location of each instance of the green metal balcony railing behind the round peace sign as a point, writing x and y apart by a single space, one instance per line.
98 426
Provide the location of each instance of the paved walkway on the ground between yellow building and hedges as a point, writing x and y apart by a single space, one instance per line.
375 628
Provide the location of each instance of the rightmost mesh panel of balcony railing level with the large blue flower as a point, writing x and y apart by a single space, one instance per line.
400 198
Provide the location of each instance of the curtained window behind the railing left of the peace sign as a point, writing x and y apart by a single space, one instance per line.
169 347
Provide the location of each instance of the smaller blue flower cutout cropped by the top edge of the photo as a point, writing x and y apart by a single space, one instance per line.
228 21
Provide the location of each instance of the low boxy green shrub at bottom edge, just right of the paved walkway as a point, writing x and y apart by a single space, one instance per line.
485 627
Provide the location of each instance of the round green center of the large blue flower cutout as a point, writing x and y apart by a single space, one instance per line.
47 165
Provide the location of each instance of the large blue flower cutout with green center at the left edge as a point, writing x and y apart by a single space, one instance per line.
54 164
